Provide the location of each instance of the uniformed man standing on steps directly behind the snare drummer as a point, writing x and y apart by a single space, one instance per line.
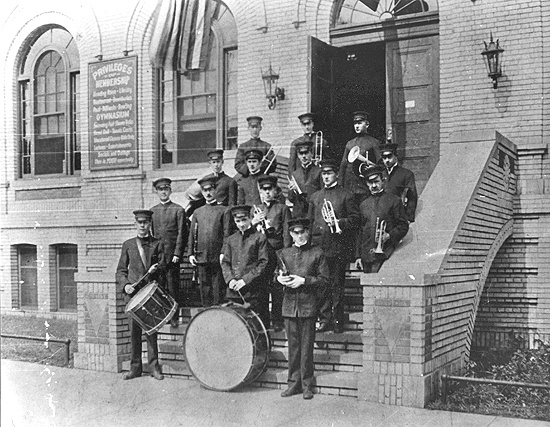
171 226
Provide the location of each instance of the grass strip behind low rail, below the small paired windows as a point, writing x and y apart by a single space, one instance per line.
34 351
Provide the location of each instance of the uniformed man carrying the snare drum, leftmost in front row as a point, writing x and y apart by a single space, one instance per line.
140 255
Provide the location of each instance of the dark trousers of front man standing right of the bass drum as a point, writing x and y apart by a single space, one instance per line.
300 332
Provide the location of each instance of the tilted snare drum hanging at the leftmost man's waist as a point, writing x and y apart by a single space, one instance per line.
151 307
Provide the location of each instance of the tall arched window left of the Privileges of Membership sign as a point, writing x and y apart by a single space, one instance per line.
49 132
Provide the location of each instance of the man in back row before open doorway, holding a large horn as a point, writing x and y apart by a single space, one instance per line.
368 148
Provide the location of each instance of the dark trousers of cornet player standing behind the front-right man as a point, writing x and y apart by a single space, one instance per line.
331 303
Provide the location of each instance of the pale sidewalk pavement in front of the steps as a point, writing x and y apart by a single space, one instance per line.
40 395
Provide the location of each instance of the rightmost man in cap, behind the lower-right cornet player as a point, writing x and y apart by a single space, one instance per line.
400 180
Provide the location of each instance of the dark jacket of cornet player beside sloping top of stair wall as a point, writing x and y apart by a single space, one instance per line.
387 207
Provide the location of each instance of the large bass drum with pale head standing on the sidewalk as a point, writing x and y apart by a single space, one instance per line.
226 346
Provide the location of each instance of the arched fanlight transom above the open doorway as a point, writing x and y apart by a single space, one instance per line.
353 12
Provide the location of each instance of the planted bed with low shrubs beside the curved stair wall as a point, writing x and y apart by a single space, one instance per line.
508 364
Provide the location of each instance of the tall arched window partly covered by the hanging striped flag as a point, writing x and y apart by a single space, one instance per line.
199 105
